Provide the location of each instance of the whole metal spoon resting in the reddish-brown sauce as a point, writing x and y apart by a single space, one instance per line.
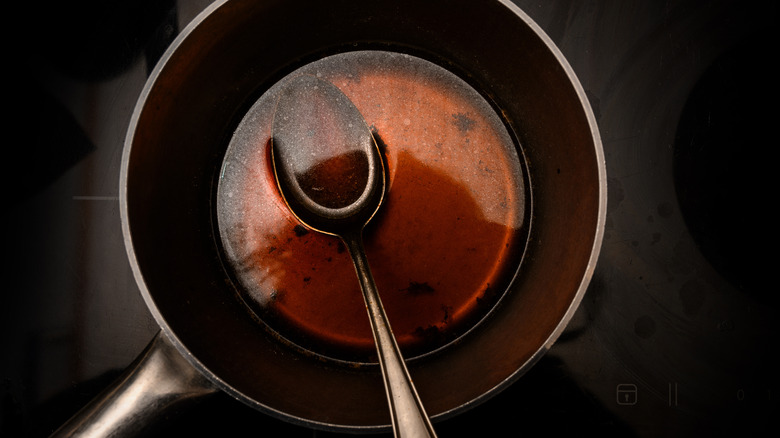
331 175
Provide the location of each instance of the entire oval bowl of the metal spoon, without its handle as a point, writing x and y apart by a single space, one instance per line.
326 163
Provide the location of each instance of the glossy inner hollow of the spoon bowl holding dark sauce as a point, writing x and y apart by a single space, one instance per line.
321 145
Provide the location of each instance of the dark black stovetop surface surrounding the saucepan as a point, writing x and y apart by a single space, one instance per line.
676 335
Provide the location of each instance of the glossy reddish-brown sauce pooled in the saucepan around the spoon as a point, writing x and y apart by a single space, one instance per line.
443 246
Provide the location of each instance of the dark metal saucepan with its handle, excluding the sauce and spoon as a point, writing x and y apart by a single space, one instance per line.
178 136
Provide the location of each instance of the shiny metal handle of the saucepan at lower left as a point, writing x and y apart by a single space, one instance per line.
158 380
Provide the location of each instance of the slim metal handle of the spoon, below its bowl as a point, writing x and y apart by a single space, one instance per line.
406 410
